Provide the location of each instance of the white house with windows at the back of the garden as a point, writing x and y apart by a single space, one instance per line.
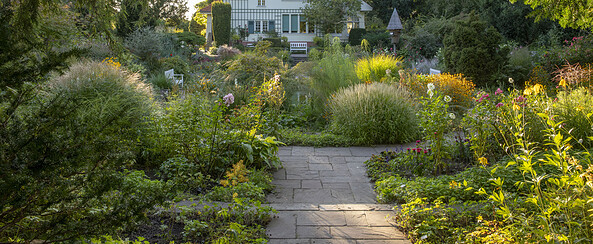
282 16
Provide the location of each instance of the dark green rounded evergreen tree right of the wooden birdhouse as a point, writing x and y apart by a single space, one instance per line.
472 48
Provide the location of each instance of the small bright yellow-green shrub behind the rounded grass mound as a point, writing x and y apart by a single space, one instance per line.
377 67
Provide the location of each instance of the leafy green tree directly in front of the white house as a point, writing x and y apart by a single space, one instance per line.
330 15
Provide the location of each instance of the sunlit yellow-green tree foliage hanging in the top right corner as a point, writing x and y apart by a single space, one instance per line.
569 13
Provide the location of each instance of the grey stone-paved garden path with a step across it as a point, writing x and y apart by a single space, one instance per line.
324 196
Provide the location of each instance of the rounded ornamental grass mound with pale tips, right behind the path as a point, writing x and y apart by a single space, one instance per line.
374 113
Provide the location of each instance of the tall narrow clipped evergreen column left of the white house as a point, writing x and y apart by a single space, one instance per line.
221 22
